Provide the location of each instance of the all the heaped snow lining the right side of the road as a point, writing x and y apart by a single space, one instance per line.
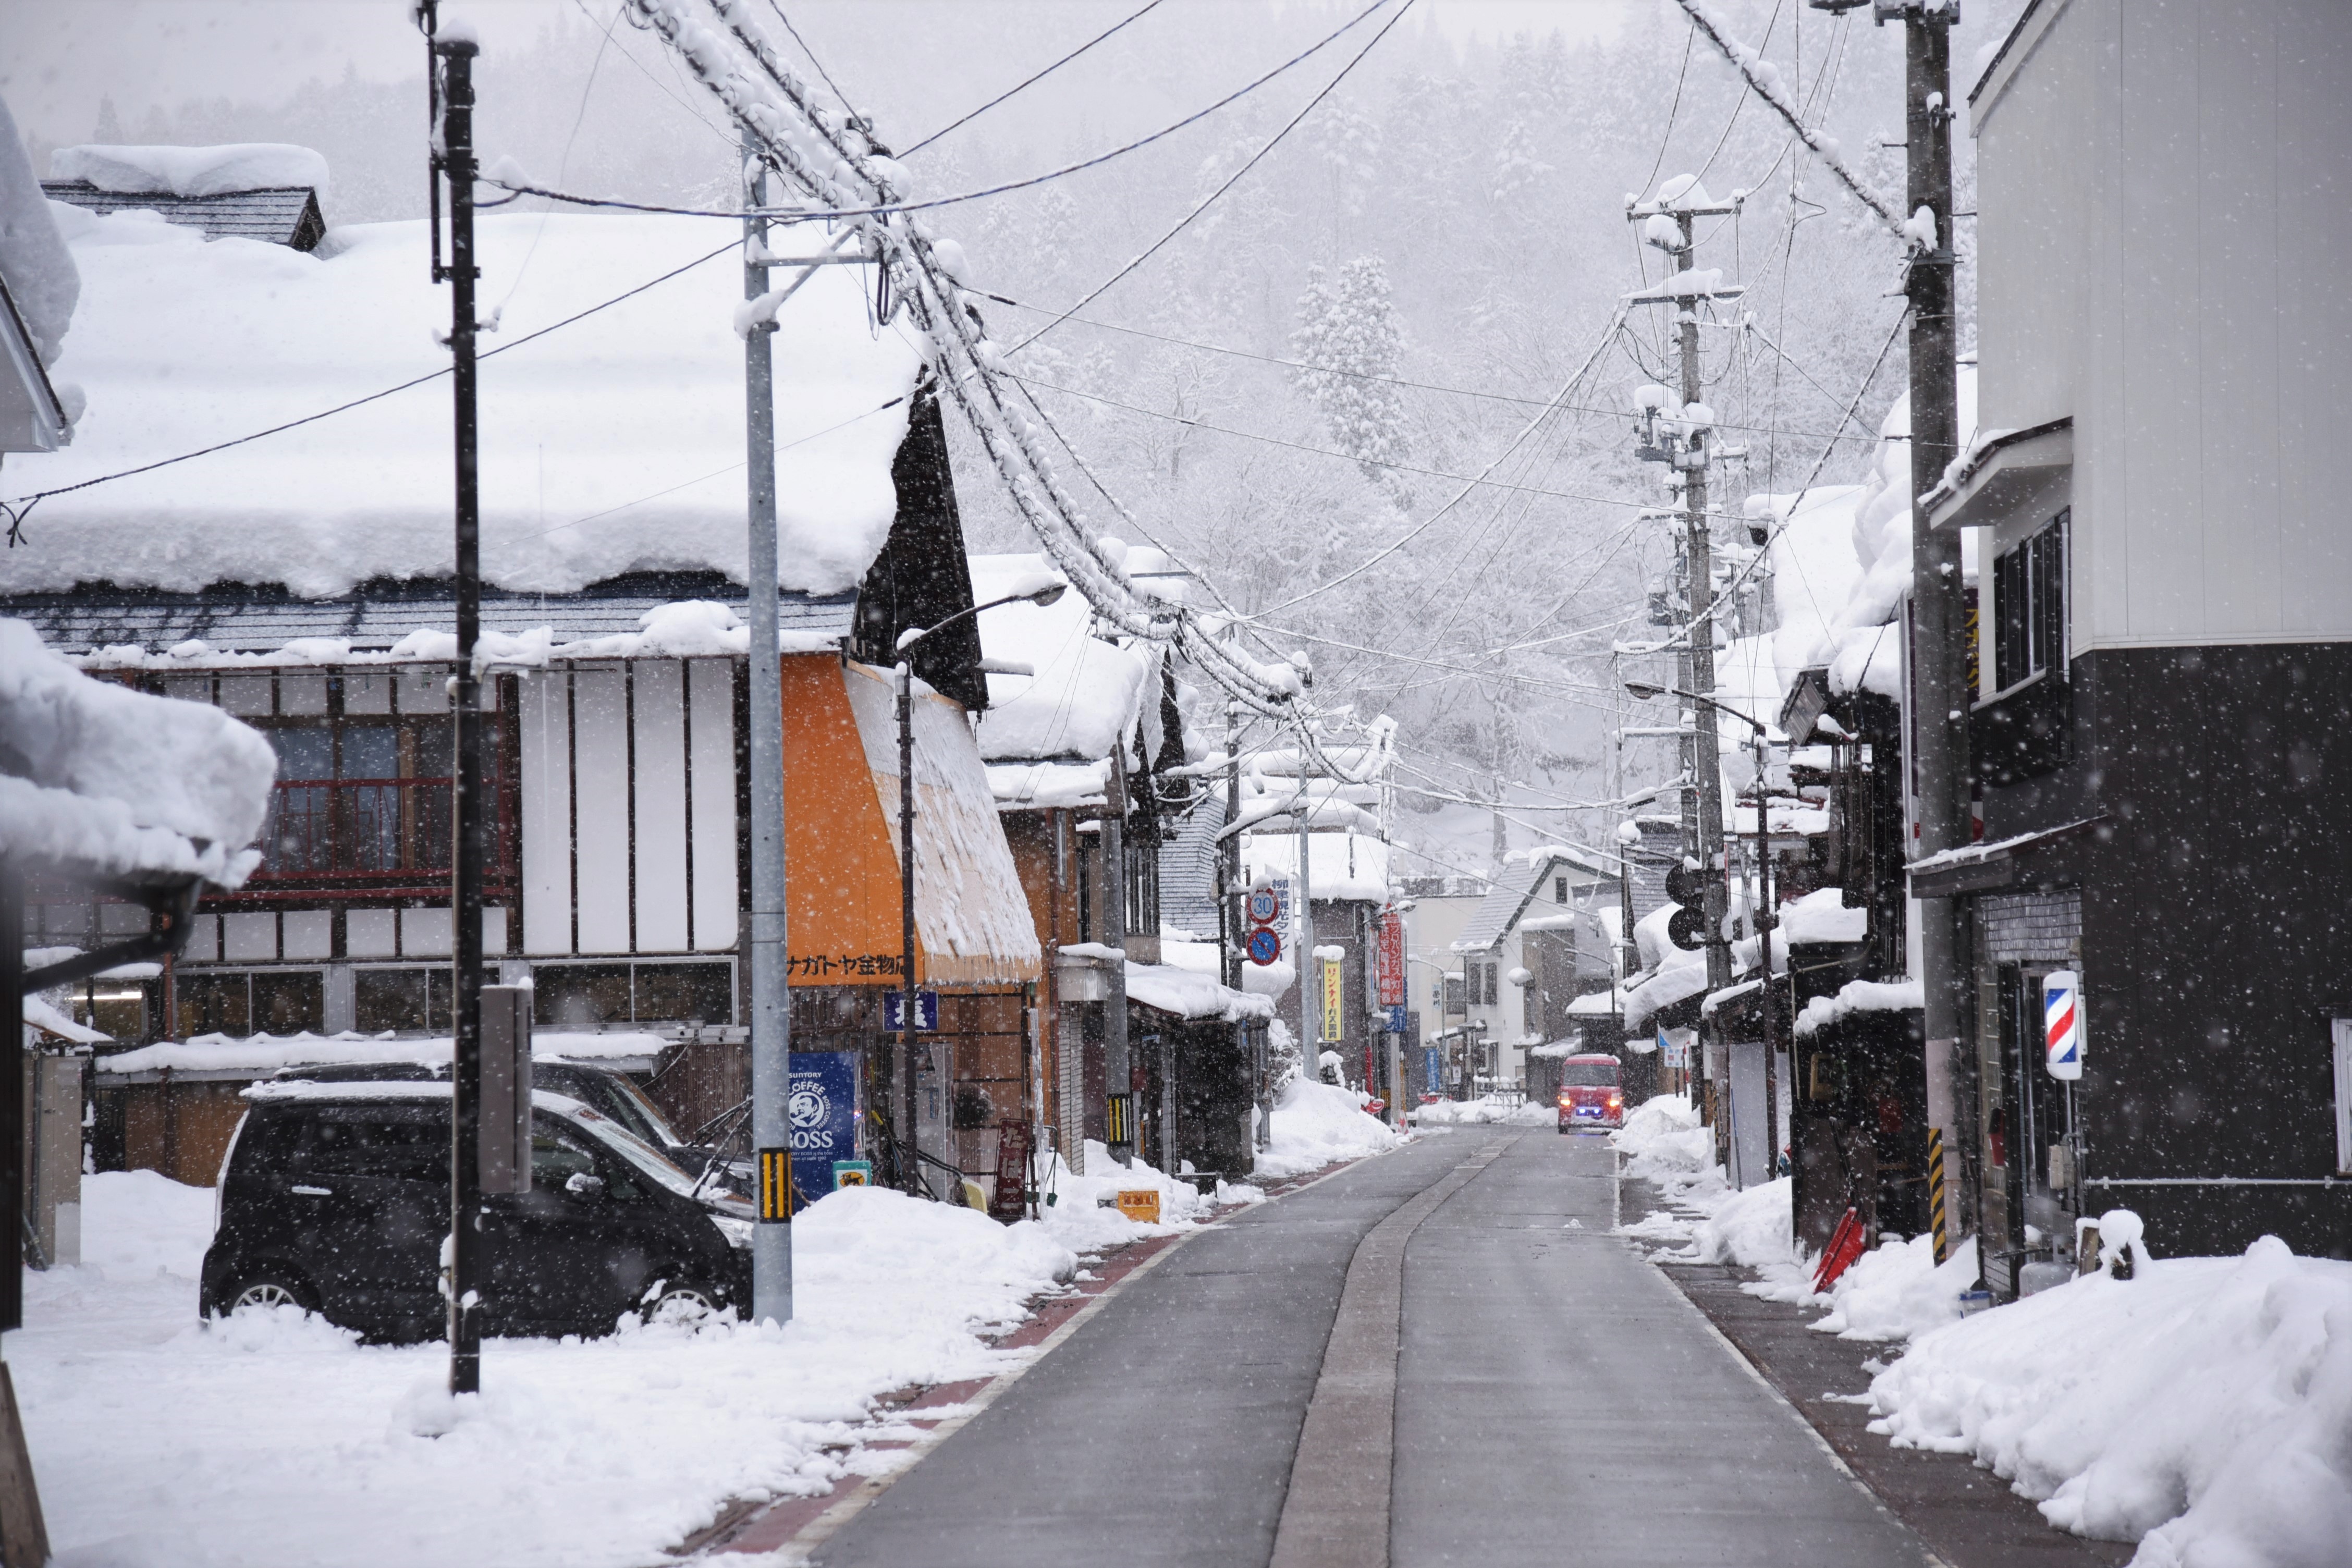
2200 1409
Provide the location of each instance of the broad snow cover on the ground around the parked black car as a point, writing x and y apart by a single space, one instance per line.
279 1440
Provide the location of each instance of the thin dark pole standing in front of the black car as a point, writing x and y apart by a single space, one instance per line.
455 58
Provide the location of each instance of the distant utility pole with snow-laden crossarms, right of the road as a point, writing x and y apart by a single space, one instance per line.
1669 225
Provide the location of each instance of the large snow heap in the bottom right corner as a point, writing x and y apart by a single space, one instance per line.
2203 1407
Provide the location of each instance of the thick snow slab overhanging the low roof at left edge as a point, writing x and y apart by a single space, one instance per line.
119 782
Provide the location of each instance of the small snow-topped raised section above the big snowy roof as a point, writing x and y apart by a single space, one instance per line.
253 192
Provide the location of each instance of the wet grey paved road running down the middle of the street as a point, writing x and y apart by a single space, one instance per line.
1556 1400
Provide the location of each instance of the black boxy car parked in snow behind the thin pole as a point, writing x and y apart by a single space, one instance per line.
335 1198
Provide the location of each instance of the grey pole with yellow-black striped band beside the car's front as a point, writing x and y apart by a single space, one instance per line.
770 974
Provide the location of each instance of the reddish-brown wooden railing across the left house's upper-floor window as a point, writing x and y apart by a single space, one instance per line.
368 831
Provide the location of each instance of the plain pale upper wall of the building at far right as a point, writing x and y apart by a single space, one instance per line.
2165 215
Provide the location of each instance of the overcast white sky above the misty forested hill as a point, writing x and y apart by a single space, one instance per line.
58 60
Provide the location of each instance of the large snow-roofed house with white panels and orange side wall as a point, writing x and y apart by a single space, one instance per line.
300 582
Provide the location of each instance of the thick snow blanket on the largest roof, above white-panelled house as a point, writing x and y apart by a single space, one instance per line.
610 445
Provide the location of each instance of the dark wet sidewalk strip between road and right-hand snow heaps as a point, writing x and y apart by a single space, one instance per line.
1965 1515
